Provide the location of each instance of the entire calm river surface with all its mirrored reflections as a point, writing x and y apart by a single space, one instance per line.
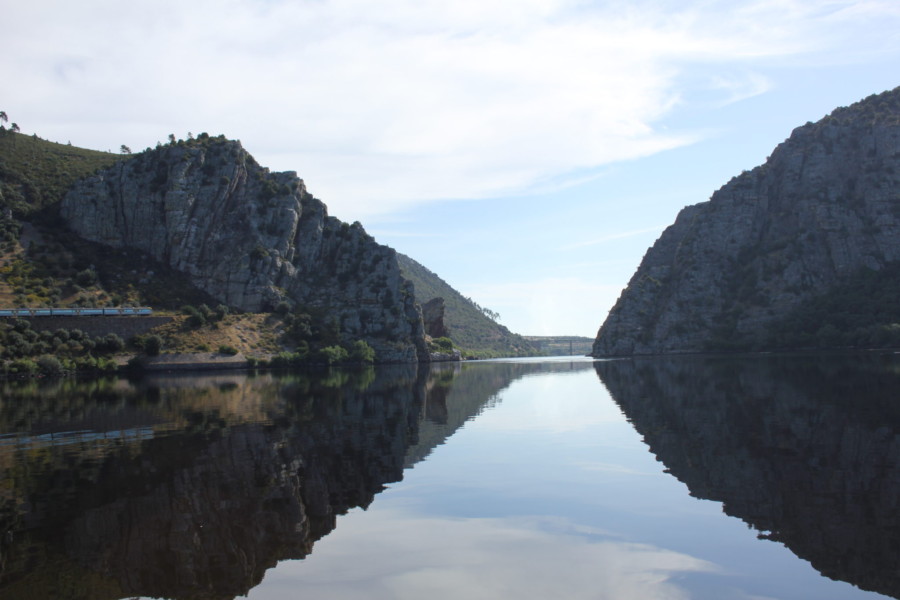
764 477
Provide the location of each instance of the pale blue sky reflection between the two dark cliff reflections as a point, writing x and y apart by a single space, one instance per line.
549 494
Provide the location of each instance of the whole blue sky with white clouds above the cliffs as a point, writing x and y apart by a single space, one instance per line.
528 152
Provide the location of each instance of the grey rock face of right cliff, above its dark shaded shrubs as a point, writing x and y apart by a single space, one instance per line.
824 206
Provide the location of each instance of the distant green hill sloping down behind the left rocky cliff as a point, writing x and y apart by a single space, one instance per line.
469 327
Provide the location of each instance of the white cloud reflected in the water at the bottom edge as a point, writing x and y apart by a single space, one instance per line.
480 558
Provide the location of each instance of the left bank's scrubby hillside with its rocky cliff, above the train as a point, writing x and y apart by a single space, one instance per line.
196 222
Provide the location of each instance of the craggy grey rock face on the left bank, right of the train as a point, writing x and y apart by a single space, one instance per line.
250 238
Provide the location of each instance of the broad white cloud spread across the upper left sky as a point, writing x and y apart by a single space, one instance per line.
382 105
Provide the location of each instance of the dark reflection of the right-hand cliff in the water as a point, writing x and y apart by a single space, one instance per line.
804 449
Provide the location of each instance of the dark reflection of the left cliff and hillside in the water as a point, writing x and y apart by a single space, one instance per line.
186 487
